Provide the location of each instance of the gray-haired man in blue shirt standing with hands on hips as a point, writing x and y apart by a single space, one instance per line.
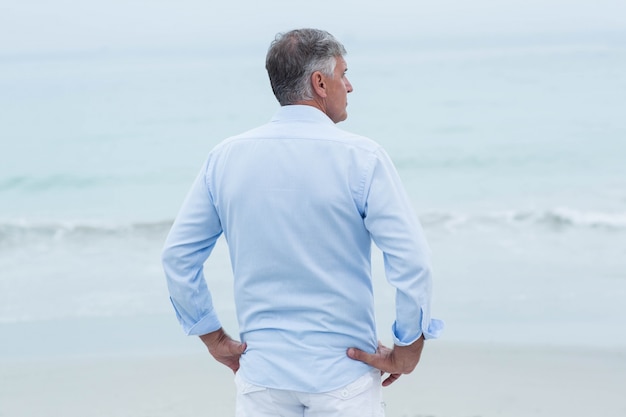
299 202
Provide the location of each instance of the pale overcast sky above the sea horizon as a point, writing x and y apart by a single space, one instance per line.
28 26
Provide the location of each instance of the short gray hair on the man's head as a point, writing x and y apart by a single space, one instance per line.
294 56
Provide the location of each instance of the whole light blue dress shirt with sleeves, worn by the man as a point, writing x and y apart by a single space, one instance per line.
299 202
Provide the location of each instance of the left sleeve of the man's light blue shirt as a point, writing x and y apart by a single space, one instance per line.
189 243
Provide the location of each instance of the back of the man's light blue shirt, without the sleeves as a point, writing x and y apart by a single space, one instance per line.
291 196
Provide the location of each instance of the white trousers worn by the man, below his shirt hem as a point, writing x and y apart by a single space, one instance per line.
361 398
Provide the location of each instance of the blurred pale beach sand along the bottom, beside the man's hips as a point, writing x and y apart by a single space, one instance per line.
451 381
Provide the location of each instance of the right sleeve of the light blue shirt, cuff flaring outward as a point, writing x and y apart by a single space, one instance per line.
396 231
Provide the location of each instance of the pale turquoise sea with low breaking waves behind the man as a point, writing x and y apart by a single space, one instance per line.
512 150
